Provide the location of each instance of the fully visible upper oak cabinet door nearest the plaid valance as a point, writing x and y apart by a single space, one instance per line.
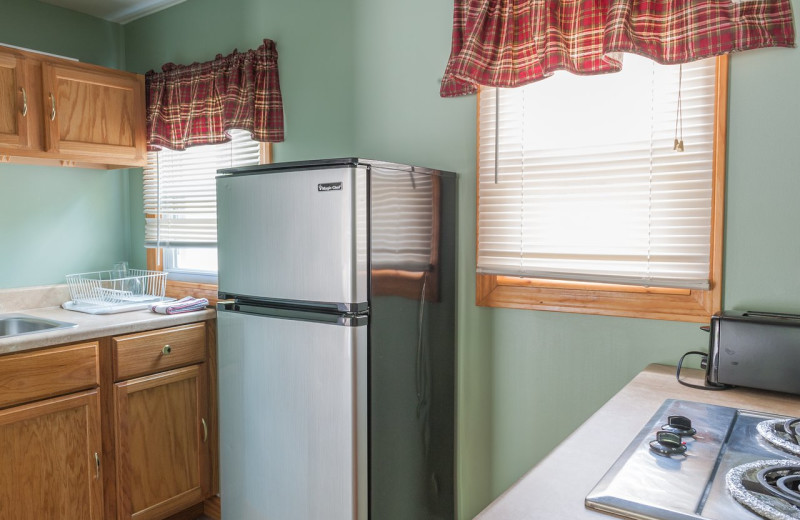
92 114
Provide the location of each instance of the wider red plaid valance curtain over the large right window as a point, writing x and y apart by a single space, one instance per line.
509 43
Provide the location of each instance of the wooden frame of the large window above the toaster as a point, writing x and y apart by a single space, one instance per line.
691 305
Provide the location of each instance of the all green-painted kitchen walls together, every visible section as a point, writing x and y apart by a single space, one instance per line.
361 77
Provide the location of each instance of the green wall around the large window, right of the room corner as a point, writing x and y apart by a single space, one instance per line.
527 379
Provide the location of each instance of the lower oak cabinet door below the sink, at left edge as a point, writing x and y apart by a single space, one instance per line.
50 460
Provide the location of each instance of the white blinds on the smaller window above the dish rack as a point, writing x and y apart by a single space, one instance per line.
180 200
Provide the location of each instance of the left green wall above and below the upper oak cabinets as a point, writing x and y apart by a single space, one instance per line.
55 221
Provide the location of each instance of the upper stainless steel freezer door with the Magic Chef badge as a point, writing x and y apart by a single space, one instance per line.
296 236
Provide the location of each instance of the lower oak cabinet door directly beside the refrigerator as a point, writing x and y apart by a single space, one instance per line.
162 443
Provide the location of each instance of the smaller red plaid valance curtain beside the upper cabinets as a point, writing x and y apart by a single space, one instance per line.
196 104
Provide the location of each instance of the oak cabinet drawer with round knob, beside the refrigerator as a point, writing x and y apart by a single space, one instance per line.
150 352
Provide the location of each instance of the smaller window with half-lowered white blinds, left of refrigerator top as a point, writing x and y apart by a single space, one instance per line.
180 206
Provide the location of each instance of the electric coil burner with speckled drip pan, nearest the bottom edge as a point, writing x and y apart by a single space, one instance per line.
769 488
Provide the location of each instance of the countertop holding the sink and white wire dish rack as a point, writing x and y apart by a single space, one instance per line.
89 326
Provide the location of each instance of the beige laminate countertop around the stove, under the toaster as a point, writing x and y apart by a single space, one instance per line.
557 486
